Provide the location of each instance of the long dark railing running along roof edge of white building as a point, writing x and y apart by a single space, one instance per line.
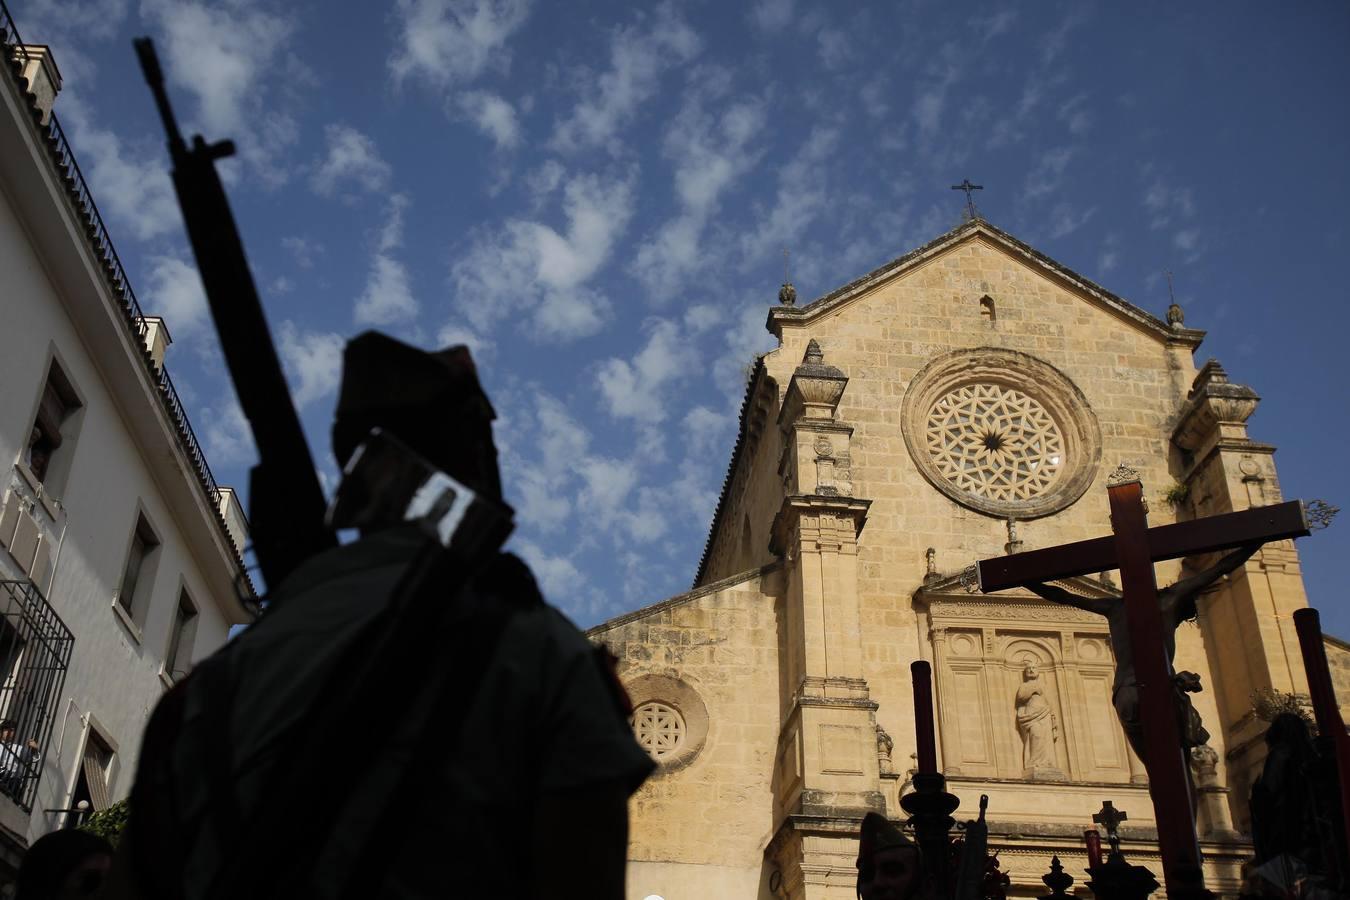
64 160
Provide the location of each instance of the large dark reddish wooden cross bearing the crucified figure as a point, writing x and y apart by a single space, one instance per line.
1135 549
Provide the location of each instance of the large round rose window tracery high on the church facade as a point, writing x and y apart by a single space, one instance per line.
996 442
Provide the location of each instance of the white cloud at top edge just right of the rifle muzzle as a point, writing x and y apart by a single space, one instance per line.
229 56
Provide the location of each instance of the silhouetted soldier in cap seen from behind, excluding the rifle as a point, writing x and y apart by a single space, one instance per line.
493 758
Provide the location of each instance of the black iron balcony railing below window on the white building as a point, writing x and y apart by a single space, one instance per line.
34 655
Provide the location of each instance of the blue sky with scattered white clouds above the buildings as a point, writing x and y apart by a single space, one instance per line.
596 198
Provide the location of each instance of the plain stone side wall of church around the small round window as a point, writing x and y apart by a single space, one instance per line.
700 826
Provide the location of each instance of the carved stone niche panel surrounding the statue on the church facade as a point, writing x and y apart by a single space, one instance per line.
981 650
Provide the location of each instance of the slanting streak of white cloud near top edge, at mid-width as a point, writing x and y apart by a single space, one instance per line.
638 60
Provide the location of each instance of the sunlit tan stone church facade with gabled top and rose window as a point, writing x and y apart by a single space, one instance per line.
965 401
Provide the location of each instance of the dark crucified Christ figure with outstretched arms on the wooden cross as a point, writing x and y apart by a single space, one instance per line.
1177 605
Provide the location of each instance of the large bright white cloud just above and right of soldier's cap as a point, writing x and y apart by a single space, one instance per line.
531 268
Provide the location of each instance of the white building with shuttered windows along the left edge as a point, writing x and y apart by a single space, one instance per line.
119 555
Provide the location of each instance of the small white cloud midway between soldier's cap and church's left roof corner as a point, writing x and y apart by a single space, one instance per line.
635 389
